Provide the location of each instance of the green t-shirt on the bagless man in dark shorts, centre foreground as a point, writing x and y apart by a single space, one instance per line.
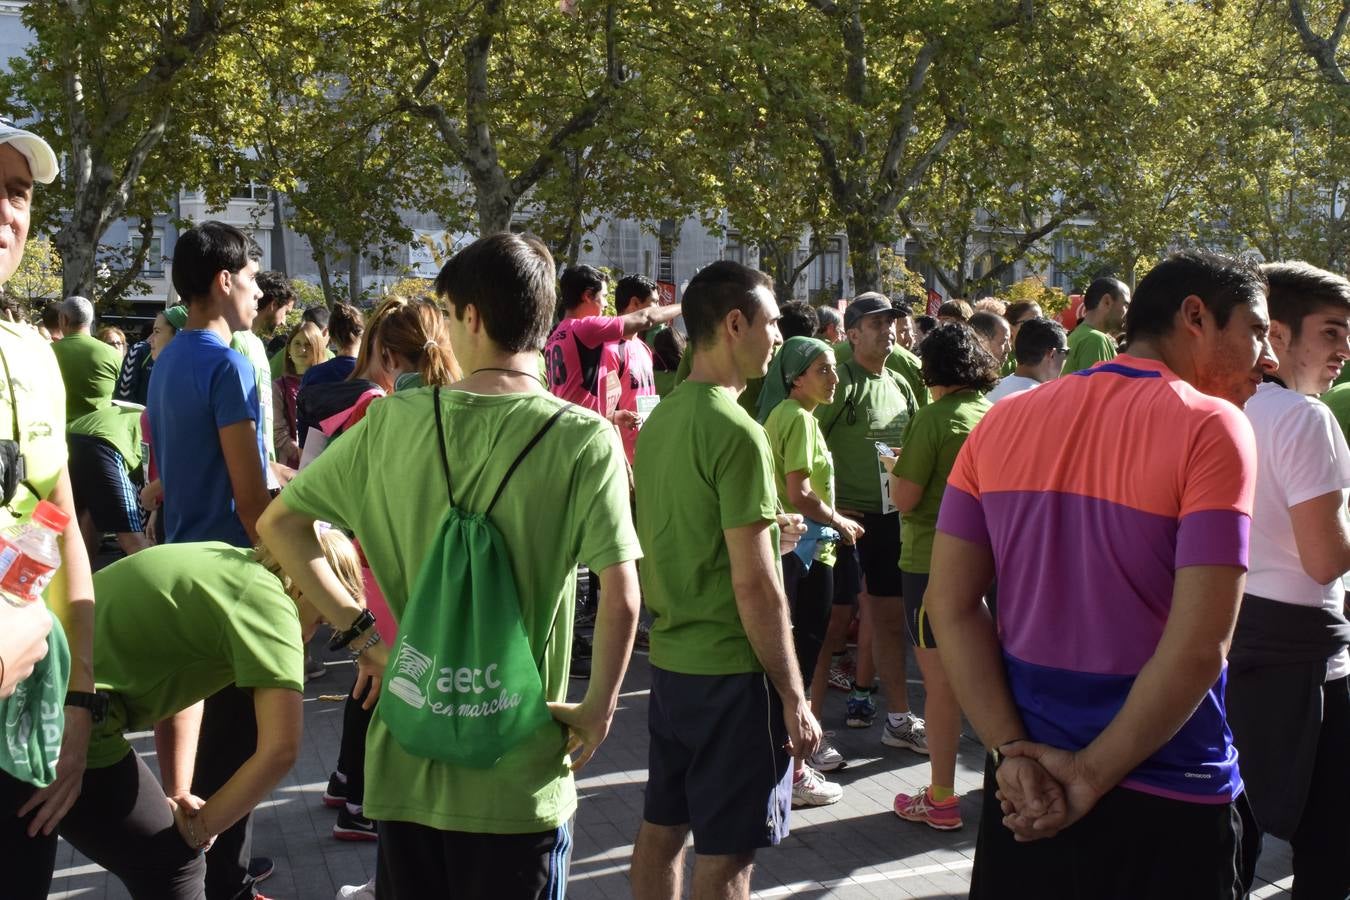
703 466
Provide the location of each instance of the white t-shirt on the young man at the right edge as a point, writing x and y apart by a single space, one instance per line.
1301 455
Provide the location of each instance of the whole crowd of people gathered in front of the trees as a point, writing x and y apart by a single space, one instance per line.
1117 551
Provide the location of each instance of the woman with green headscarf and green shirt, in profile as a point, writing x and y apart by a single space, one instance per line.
801 378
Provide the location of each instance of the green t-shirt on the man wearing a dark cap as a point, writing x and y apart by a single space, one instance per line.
867 410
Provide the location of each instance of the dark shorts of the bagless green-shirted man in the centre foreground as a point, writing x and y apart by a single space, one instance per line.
718 760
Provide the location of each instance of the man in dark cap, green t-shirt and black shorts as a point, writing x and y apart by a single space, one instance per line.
873 405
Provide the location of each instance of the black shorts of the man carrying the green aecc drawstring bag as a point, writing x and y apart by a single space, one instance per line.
419 862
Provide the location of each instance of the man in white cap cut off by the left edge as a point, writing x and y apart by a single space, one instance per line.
40 778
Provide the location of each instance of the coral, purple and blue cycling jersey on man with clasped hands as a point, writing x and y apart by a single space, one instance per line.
1123 474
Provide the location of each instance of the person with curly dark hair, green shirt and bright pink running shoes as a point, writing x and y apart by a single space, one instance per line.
958 372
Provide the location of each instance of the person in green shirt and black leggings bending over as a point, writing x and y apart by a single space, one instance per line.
176 624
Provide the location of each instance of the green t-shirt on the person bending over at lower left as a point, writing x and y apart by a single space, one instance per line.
176 624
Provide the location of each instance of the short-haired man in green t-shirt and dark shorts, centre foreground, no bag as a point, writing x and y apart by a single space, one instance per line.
727 696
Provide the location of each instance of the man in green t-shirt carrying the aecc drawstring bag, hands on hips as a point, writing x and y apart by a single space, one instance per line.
452 831
